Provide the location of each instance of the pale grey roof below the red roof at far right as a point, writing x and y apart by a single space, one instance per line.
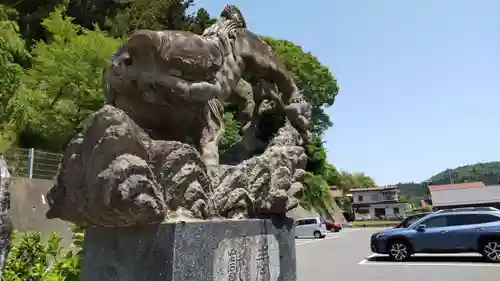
466 196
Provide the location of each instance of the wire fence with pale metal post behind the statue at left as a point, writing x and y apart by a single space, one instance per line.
32 163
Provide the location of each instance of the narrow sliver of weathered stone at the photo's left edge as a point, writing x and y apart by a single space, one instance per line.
5 219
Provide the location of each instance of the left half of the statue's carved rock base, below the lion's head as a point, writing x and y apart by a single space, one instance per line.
115 175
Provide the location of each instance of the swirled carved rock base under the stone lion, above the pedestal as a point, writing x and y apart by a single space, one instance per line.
115 175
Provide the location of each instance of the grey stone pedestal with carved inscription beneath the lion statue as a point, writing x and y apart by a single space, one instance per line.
239 250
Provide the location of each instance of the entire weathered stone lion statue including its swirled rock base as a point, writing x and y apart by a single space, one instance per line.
152 153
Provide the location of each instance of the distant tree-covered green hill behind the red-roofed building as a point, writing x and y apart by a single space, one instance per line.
487 172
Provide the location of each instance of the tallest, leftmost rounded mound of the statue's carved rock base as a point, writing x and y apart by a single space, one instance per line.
103 178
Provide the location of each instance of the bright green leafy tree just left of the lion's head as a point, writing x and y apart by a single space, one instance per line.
64 85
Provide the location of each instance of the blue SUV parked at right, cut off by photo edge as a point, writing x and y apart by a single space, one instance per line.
463 230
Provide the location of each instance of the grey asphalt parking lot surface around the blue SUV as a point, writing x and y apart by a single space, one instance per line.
346 256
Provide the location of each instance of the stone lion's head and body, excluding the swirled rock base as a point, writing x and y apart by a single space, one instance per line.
167 78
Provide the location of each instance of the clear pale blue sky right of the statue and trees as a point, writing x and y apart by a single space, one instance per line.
419 80
